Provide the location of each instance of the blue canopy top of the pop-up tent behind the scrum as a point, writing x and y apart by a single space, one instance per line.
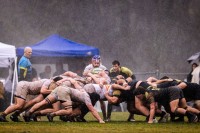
57 46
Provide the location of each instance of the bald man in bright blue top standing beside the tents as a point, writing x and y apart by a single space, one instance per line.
25 66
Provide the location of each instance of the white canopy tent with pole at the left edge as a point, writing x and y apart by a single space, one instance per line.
7 58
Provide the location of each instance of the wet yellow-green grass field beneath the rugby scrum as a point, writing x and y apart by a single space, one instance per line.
118 124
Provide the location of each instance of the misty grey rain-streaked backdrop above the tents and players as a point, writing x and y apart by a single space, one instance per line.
144 35
